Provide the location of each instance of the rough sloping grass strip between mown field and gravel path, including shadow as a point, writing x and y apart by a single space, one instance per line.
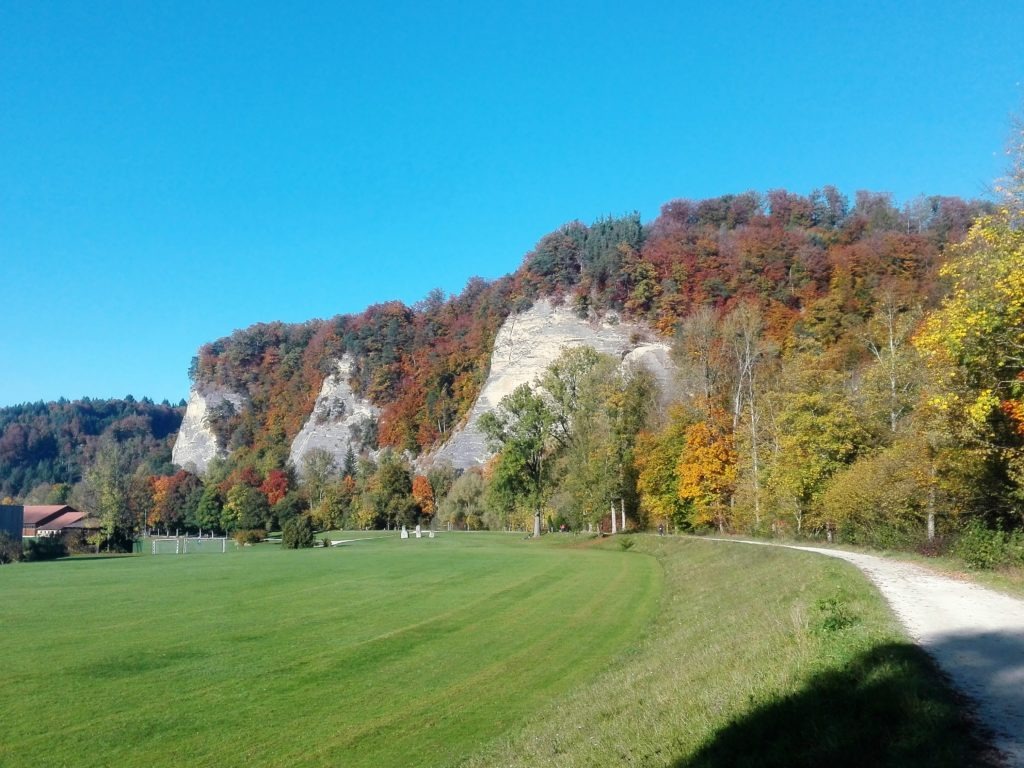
759 657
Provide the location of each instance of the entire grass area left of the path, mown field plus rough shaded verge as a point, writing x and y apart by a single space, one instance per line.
466 650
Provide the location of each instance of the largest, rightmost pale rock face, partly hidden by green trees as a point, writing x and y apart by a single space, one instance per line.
528 345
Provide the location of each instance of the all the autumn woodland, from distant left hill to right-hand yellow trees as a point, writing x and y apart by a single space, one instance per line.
848 369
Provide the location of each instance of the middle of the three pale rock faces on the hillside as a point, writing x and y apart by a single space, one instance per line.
337 420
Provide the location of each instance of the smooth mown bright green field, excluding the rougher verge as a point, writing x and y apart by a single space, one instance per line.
382 653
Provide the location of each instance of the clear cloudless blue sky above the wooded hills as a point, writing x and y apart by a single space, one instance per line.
172 172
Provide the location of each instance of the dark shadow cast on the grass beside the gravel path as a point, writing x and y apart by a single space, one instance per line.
886 708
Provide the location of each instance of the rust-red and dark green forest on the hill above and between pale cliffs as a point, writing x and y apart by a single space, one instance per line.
424 365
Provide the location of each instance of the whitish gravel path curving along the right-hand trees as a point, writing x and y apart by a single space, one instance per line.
975 634
